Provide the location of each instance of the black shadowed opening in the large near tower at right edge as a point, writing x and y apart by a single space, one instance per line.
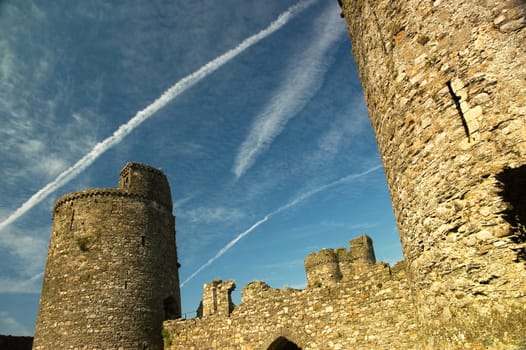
513 182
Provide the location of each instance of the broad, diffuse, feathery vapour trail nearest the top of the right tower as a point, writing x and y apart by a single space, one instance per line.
299 86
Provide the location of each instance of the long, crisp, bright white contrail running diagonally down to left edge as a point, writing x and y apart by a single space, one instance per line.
142 115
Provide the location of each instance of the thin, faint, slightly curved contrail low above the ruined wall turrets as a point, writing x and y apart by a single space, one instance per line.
294 202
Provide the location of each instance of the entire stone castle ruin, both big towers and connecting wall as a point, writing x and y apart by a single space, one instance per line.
445 86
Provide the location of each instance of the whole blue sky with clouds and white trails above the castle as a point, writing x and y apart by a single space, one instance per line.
253 109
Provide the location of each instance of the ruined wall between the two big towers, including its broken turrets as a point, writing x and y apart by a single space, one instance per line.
351 302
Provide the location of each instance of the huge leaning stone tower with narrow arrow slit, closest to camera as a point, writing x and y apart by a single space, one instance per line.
445 85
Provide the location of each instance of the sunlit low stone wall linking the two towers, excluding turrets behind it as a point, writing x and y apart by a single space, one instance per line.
372 311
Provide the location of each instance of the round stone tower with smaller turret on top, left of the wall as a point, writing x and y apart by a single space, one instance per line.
112 274
